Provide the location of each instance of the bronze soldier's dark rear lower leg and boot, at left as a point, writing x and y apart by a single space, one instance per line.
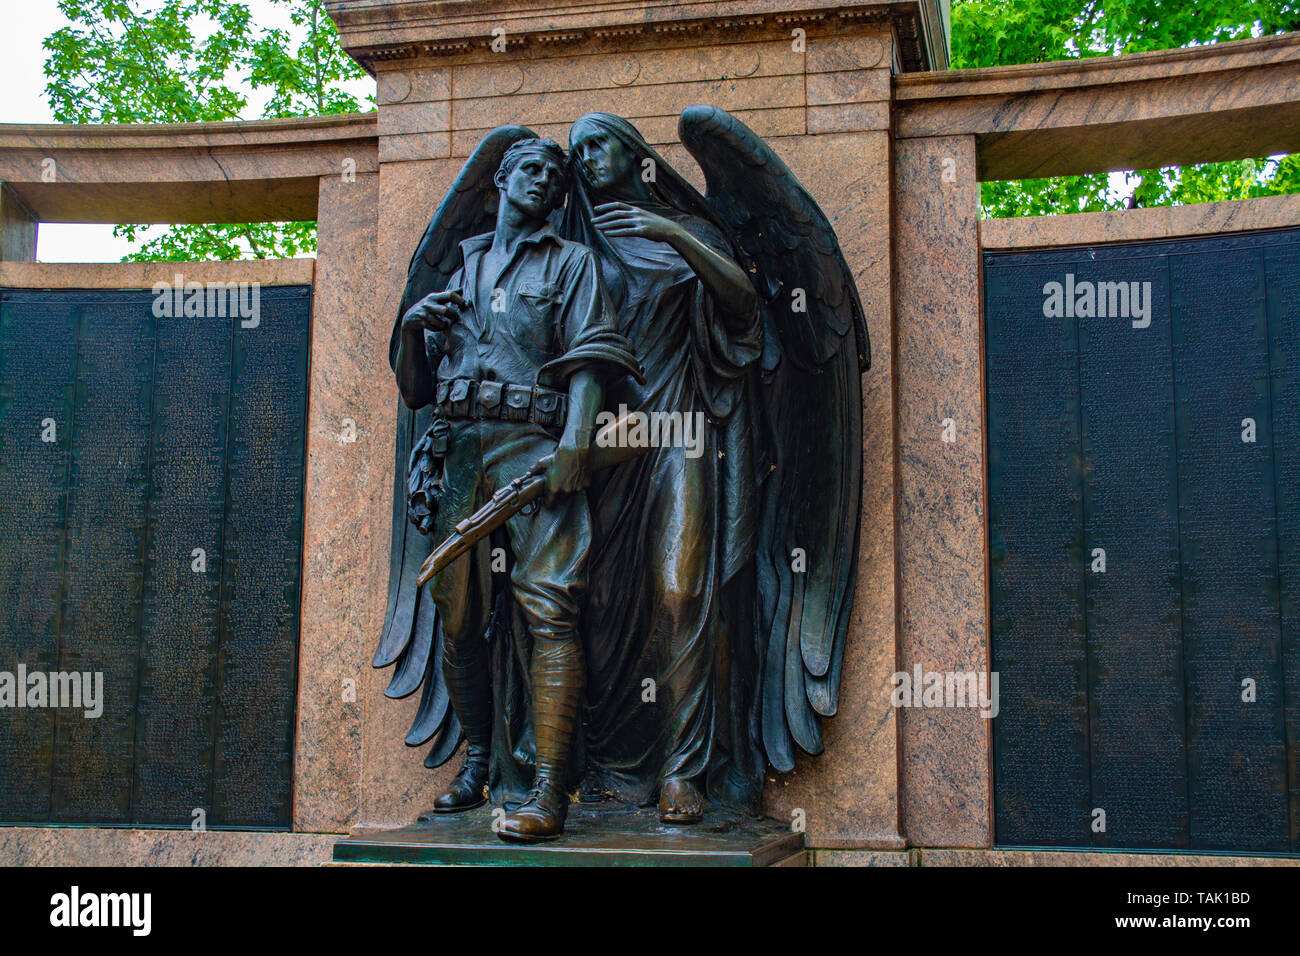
465 669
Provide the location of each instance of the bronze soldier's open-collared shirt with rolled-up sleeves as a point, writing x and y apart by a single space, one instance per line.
543 318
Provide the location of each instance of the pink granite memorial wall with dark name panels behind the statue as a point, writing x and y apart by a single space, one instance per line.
1078 443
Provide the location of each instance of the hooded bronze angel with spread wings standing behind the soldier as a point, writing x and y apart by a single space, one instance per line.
721 570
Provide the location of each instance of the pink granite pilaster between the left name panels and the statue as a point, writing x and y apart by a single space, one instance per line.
348 451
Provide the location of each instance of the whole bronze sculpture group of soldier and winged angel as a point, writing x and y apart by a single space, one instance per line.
661 631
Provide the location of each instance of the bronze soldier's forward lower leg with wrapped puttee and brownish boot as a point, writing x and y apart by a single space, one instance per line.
558 676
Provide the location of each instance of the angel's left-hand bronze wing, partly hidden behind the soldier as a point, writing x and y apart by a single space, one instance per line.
413 637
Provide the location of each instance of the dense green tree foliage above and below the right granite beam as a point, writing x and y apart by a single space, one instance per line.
994 33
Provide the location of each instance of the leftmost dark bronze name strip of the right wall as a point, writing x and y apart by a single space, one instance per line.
1035 501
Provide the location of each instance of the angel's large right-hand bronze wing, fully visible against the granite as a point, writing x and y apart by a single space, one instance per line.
816 351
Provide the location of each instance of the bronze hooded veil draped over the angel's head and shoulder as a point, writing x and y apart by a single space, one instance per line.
668 188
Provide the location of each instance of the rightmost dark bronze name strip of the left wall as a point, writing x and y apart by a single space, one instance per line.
261 581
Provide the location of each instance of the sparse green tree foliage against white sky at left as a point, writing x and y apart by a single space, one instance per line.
196 62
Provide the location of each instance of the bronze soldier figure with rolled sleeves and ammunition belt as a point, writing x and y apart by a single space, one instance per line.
513 356
